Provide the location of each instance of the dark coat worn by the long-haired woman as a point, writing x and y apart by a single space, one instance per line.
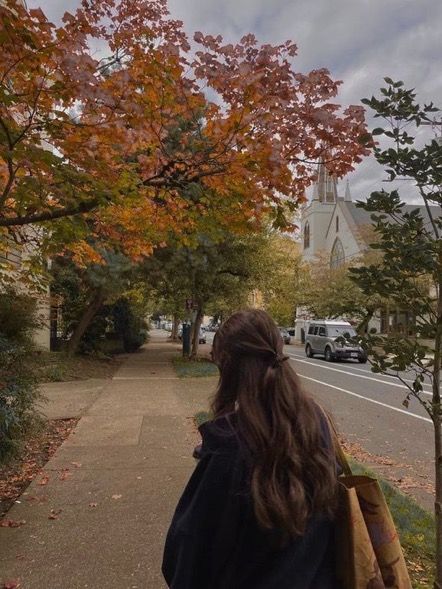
214 541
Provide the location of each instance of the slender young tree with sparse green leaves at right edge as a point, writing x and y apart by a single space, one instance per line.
409 272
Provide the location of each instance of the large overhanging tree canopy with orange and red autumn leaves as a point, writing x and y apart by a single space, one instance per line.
124 139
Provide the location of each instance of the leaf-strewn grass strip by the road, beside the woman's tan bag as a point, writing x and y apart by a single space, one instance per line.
415 525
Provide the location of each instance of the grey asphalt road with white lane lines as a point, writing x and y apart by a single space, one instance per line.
368 410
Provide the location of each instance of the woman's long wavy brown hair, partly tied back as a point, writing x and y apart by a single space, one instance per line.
293 472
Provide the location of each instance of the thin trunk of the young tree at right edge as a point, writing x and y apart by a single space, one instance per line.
437 422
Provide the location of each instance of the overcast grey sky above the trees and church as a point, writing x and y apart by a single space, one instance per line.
359 41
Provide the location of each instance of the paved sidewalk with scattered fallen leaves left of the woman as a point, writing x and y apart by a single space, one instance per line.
98 514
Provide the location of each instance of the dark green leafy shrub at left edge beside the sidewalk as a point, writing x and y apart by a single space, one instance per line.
18 392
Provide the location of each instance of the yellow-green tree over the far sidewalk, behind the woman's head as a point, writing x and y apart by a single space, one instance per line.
217 275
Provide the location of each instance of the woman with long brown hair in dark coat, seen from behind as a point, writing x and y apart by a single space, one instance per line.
257 512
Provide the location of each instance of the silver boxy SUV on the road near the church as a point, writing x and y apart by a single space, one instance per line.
332 340
